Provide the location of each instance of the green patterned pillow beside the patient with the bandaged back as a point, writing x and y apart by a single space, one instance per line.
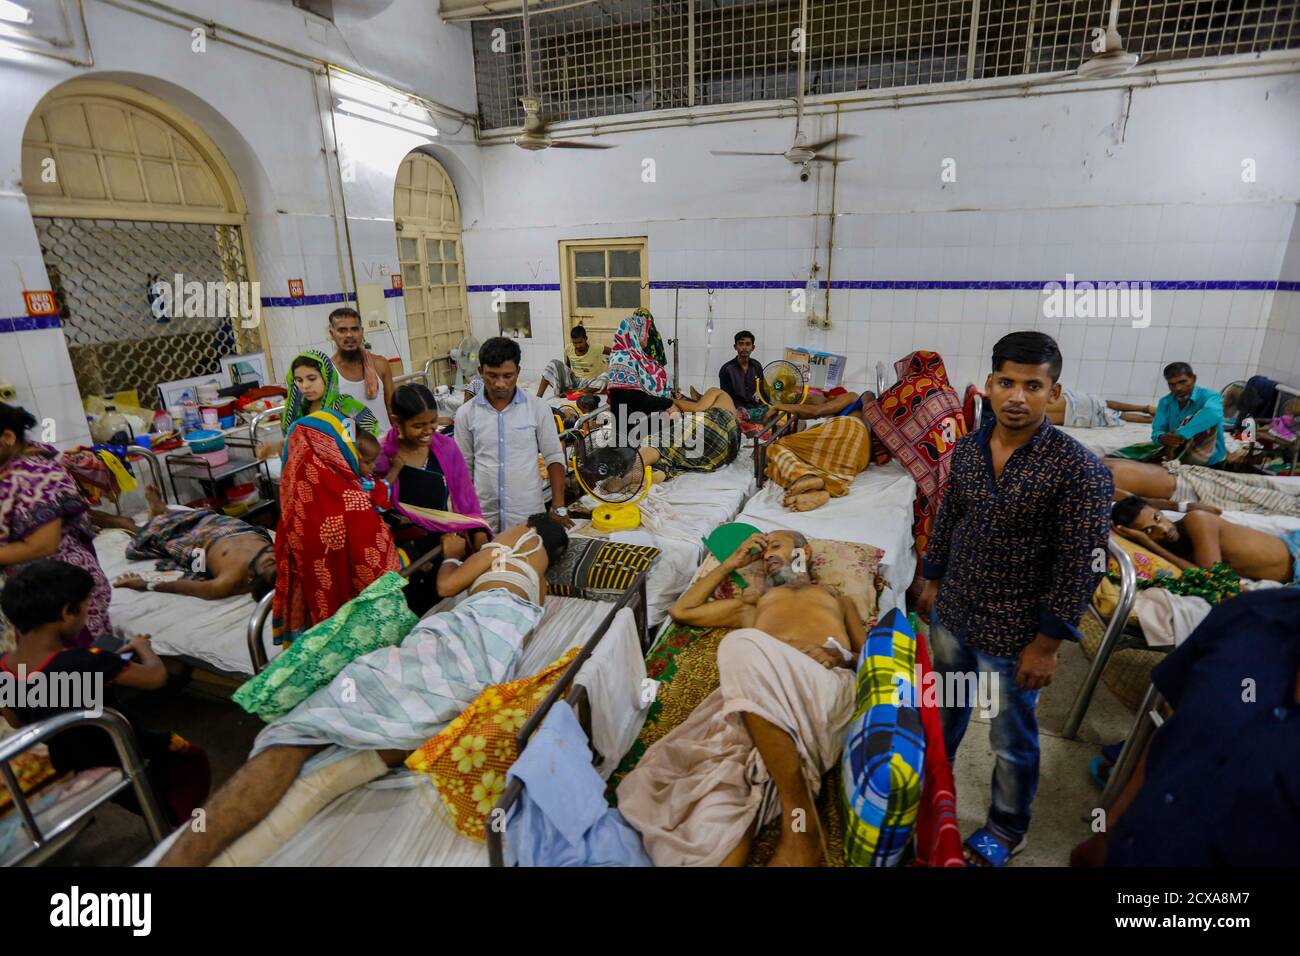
376 618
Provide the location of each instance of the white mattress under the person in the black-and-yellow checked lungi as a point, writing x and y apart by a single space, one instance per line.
678 516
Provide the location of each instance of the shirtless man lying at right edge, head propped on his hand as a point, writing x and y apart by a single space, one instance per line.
1204 540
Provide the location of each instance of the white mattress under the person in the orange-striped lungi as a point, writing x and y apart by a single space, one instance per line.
876 512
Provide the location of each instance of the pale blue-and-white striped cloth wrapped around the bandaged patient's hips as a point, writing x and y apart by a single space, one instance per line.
398 698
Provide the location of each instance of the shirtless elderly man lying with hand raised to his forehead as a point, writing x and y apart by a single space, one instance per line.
777 723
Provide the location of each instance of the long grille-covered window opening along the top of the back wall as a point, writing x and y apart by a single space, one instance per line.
627 57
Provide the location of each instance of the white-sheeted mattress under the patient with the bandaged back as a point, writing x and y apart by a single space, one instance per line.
398 820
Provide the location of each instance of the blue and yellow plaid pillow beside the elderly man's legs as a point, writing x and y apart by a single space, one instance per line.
885 750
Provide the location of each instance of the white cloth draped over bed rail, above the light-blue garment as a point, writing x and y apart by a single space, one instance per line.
614 677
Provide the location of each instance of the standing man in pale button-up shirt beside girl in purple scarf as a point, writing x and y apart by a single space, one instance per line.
502 432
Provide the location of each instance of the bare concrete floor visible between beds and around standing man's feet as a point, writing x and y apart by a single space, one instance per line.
201 713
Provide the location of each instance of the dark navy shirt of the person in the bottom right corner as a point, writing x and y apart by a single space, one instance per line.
1223 780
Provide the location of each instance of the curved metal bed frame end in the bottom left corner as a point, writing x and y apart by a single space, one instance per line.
119 729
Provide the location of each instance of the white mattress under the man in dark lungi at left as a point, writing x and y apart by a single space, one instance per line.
214 634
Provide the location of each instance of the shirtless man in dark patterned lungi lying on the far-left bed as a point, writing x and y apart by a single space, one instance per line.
222 556
